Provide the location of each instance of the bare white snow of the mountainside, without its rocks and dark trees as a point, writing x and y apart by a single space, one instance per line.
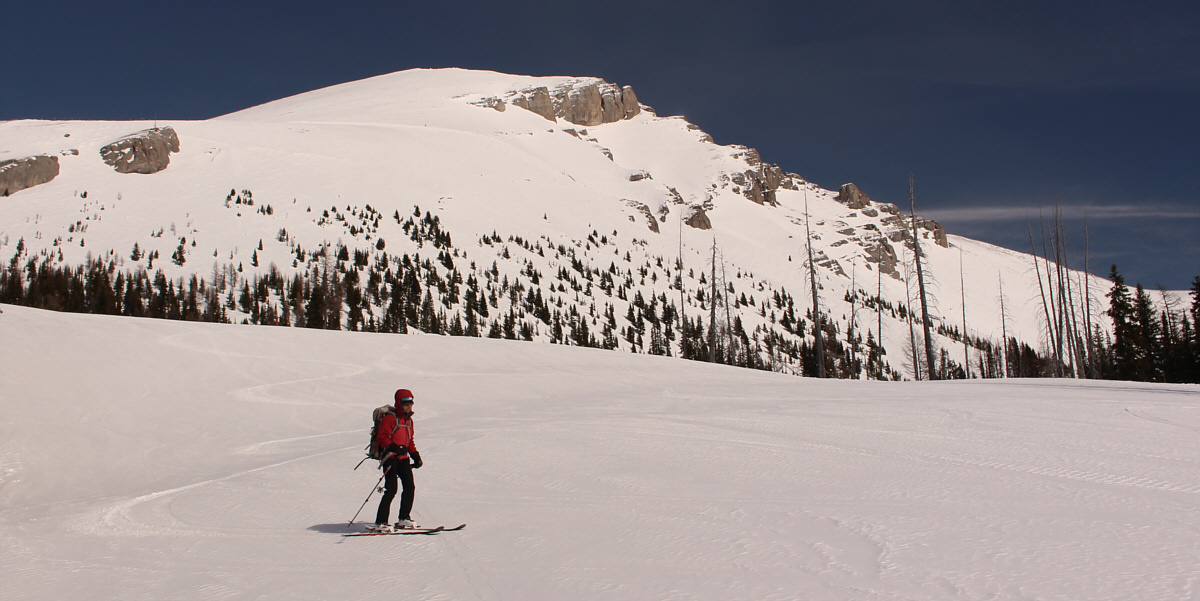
421 142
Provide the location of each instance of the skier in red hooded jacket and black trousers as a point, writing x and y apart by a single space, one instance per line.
395 436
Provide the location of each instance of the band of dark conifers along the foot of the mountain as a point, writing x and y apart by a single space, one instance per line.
337 287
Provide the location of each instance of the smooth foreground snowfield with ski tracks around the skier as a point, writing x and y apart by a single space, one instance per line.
159 460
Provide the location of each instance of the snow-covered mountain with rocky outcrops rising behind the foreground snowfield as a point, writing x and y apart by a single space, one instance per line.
563 205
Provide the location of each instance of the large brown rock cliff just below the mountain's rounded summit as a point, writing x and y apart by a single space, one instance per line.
587 103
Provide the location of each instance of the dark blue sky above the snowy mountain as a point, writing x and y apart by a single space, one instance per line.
994 107
